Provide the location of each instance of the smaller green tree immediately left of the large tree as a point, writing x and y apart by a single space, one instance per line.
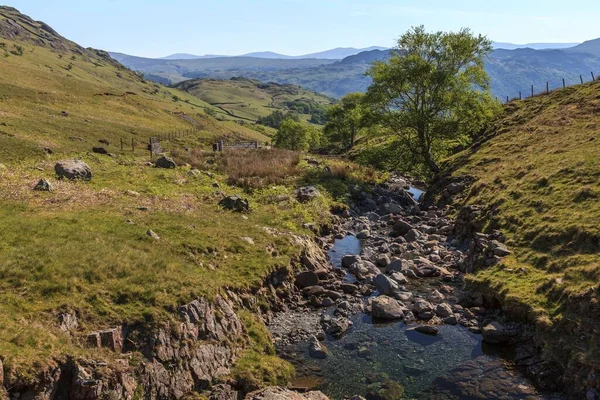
345 119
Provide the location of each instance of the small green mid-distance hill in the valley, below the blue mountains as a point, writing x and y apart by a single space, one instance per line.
248 99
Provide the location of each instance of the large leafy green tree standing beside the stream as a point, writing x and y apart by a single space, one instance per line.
433 92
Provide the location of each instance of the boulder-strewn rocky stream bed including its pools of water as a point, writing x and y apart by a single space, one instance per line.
389 318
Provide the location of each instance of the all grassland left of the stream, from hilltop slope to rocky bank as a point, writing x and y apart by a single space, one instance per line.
84 247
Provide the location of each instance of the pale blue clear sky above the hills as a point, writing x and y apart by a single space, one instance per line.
154 28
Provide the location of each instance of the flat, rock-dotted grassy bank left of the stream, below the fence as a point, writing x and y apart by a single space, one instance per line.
74 248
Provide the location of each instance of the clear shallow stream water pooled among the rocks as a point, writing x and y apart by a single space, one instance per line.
453 365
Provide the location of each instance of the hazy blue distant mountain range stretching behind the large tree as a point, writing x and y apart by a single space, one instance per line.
511 71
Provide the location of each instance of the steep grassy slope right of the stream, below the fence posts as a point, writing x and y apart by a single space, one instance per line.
537 176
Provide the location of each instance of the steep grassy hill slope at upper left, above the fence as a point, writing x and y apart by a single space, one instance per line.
57 95
